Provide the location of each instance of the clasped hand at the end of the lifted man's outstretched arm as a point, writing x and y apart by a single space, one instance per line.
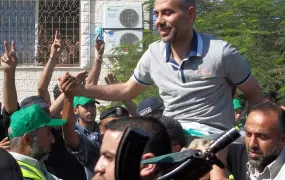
68 84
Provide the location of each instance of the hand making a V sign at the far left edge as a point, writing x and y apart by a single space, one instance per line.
9 60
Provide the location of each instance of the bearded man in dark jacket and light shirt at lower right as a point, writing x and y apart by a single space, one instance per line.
263 155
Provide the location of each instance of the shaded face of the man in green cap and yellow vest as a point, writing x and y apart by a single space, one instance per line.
41 143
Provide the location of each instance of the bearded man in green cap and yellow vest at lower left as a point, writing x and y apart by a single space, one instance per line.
31 141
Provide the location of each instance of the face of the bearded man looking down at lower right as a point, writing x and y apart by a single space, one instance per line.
263 138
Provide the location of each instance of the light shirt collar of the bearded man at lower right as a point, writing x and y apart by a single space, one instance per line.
273 167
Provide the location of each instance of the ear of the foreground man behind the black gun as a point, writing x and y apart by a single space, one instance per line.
148 170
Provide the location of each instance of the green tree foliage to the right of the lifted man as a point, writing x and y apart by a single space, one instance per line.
256 28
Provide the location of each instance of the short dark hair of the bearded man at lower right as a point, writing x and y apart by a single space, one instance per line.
268 107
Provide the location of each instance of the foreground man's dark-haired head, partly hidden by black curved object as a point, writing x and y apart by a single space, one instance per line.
158 144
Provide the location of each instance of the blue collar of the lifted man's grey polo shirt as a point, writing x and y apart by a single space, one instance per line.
196 50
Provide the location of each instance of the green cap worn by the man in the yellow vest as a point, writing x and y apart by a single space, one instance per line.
29 119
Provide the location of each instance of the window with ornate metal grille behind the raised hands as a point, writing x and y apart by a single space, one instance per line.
32 24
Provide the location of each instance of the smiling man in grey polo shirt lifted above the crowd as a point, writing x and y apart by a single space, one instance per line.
195 73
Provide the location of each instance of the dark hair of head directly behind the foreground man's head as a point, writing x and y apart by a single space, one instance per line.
174 130
